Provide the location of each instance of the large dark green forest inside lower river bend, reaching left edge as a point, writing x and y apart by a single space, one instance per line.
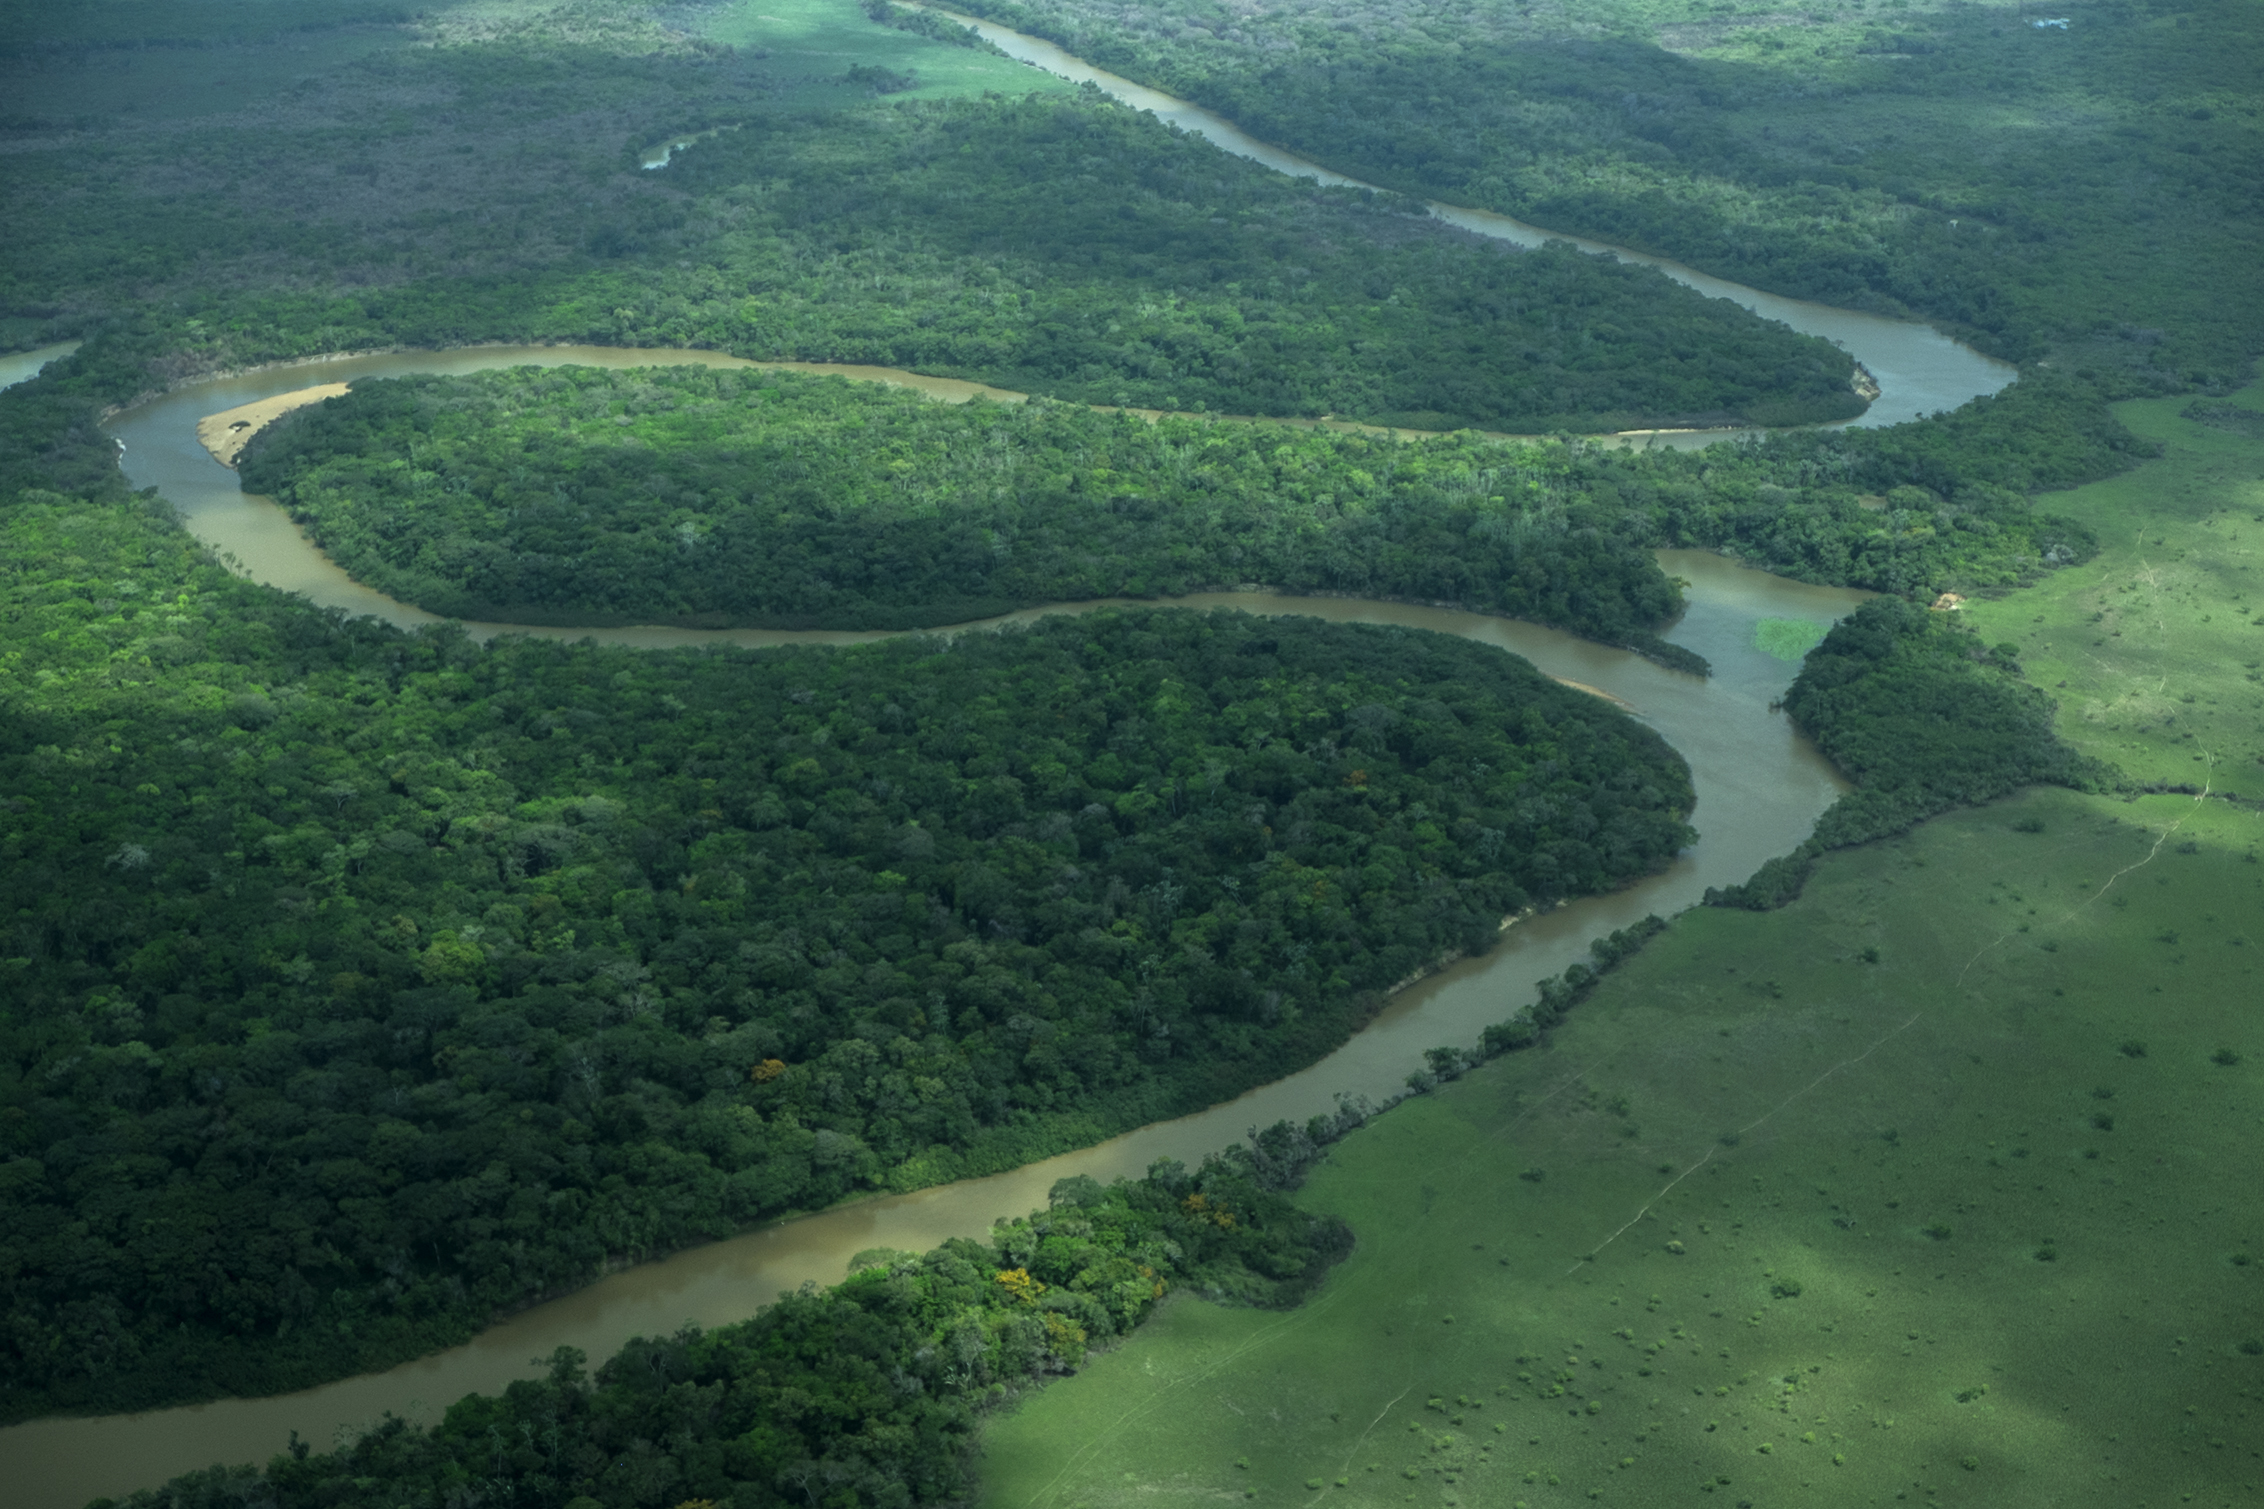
370 983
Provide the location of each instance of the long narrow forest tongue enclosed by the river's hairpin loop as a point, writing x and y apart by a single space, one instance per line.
787 501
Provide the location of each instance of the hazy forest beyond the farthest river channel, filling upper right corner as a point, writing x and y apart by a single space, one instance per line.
1869 159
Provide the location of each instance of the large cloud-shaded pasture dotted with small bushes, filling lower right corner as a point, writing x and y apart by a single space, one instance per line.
1935 1187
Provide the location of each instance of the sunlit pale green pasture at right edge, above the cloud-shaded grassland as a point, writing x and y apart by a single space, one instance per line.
2156 648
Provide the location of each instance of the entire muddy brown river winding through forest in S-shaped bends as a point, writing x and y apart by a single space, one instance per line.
1760 791
